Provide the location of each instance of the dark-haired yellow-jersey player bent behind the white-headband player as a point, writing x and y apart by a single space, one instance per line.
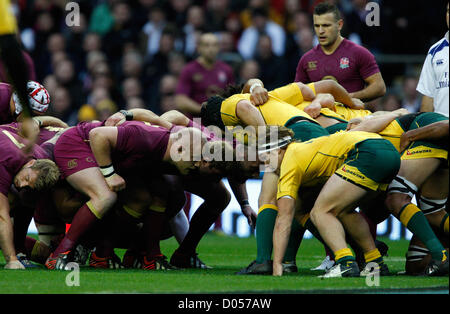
235 108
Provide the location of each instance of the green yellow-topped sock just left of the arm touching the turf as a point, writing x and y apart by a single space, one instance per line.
264 232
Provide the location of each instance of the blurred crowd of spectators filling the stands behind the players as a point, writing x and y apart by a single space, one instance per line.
129 54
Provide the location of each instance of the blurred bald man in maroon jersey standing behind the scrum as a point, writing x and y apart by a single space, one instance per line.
203 77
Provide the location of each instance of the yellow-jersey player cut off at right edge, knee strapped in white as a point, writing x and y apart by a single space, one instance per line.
423 173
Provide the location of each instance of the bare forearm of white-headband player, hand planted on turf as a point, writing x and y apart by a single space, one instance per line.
281 232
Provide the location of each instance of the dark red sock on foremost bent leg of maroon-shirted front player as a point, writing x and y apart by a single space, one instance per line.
82 222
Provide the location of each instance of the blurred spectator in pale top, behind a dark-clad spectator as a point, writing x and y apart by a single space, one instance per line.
261 24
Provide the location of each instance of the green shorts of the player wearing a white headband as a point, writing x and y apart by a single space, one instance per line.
372 164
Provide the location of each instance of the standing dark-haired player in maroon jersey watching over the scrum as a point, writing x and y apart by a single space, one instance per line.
337 58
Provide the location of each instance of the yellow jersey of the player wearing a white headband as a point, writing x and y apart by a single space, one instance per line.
311 163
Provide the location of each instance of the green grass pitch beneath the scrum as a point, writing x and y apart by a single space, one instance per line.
226 255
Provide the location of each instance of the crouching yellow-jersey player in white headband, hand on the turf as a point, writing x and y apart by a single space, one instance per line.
351 166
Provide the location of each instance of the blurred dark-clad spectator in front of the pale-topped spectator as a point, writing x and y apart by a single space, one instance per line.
273 69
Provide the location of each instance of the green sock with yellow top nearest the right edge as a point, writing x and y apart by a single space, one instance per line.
416 222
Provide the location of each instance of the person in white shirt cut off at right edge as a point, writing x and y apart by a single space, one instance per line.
433 82
